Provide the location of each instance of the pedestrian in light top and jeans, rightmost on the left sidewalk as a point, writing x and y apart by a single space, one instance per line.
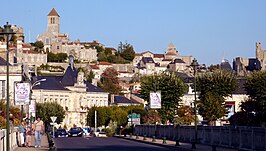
38 128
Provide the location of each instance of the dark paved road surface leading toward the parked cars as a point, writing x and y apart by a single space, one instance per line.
103 144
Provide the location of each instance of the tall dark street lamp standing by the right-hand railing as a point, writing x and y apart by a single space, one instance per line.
194 65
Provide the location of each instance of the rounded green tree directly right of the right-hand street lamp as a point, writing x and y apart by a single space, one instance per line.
213 88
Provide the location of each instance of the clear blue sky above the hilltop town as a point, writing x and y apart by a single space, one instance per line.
208 30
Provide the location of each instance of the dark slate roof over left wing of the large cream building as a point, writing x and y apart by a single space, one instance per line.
51 83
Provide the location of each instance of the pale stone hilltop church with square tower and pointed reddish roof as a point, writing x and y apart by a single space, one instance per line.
57 42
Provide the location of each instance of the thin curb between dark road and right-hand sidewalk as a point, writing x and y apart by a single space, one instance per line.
157 144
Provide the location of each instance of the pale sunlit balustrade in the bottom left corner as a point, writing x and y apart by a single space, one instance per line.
13 141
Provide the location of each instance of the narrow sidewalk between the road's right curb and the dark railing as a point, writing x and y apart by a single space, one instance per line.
172 144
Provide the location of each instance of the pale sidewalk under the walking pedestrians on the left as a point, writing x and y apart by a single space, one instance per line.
44 145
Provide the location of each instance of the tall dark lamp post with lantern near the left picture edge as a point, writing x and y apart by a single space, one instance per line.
7 32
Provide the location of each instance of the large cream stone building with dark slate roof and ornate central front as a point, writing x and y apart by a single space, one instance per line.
73 93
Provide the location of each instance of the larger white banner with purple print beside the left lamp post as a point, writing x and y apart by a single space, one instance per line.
22 93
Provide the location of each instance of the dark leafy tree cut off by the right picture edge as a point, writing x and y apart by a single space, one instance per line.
255 87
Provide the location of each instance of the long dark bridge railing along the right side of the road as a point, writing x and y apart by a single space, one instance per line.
250 138
